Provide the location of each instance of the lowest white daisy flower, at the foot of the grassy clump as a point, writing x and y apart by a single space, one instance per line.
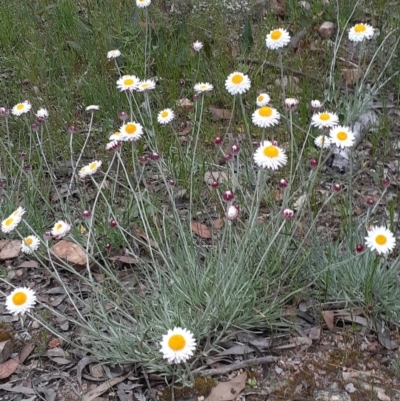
178 345
